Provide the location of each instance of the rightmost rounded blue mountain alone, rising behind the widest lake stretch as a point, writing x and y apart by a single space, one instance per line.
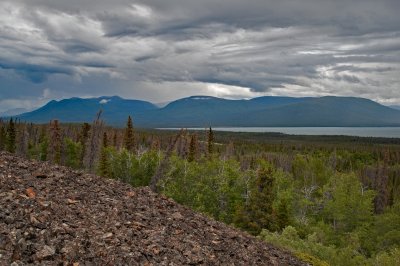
326 111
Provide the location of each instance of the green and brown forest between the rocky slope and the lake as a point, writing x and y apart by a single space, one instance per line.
329 200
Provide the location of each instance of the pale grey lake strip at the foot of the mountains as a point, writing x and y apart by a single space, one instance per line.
384 132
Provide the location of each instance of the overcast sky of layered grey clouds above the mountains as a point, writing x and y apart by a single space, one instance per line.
160 50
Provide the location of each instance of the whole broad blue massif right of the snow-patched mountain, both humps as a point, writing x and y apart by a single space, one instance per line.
272 111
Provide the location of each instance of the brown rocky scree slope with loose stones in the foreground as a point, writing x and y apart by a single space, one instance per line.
51 215
